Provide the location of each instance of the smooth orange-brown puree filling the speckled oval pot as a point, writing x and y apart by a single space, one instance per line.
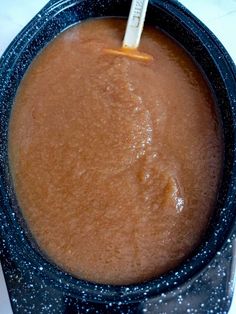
115 162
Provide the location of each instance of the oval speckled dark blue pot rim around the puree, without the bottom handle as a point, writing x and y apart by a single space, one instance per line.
218 69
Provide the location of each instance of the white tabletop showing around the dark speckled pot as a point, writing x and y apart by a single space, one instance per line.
218 15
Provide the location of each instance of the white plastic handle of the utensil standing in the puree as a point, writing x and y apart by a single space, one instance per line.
135 23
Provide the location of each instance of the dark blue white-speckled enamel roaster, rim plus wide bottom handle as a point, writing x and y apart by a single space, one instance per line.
204 283
